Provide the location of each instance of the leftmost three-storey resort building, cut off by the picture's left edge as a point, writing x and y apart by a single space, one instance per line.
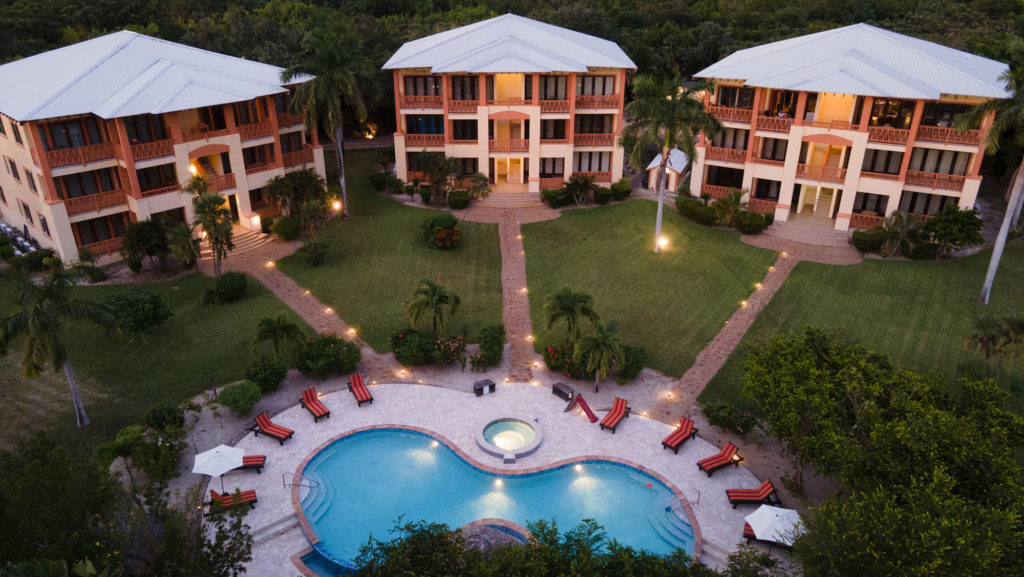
108 132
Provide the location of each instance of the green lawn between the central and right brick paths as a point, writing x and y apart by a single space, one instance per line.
671 304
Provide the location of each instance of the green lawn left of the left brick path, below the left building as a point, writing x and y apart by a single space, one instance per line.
200 347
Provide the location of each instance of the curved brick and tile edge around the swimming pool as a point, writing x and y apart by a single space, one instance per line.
308 529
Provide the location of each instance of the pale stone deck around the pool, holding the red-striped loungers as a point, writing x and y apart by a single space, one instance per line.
458 417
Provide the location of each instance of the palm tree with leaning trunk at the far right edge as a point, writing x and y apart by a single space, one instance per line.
1009 120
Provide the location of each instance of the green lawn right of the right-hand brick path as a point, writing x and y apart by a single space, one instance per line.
919 313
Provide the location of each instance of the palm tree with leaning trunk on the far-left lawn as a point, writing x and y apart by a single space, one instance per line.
46 310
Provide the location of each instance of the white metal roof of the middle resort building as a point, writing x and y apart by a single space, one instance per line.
507 45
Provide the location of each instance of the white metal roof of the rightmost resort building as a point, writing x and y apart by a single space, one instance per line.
866 61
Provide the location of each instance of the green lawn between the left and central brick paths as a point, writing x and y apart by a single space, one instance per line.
378 257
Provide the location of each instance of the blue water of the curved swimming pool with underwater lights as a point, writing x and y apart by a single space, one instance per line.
370 479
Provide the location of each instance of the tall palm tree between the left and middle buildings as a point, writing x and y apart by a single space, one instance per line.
342 75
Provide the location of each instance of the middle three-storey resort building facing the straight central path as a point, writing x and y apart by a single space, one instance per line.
525 103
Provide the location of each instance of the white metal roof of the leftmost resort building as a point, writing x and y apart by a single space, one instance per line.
125 74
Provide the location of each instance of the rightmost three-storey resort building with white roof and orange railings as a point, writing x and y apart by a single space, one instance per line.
843 128
